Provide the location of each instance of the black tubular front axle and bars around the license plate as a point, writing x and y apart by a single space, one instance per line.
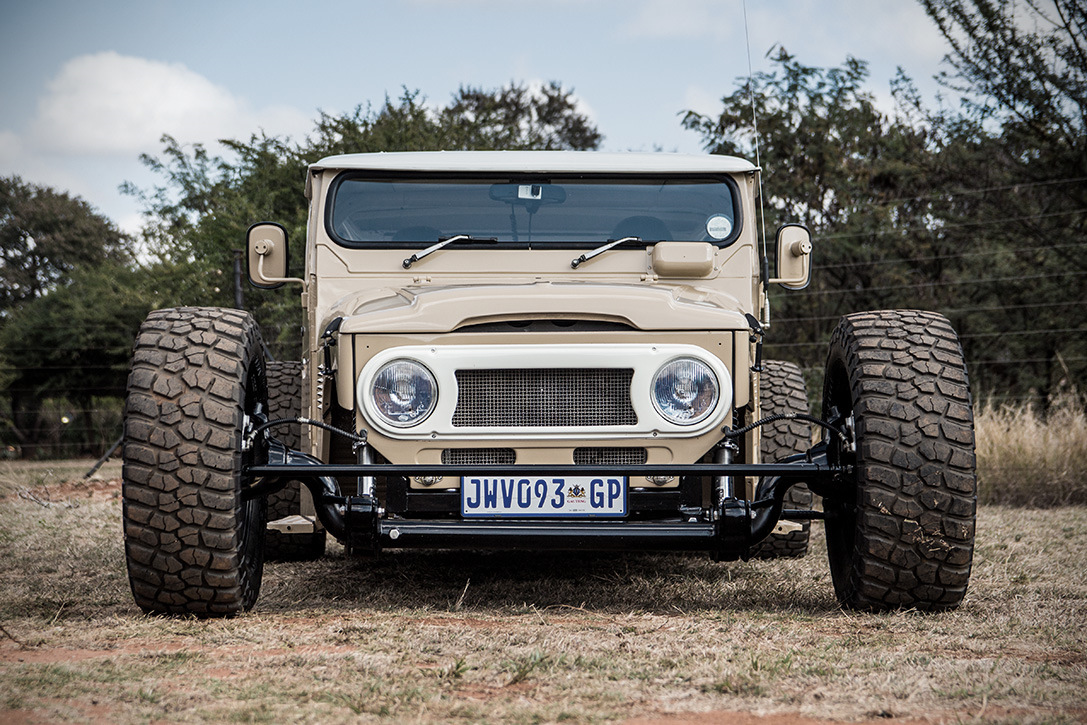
728 529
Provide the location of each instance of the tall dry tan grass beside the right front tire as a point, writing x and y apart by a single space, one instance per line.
1026 459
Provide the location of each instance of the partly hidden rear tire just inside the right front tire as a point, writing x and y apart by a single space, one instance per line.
782 387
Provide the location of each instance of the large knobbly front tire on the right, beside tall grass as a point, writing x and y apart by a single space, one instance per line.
902 533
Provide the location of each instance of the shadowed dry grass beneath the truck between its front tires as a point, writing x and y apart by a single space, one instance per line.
504 582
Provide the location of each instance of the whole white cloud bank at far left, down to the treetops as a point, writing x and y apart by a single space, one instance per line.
102 111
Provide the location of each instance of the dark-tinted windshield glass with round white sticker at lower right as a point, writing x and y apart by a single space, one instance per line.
553 211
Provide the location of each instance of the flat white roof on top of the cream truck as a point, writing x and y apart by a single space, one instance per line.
599 162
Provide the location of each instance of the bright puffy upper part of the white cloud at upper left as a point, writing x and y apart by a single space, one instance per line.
113 105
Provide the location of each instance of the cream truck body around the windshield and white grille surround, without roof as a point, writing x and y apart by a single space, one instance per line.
455 287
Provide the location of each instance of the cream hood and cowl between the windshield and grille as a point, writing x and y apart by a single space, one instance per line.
492 290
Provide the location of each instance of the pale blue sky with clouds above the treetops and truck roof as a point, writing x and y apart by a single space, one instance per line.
86 87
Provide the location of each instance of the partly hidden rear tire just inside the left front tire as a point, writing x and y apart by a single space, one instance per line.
285 401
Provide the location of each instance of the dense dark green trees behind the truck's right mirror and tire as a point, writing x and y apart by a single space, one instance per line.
968 214
